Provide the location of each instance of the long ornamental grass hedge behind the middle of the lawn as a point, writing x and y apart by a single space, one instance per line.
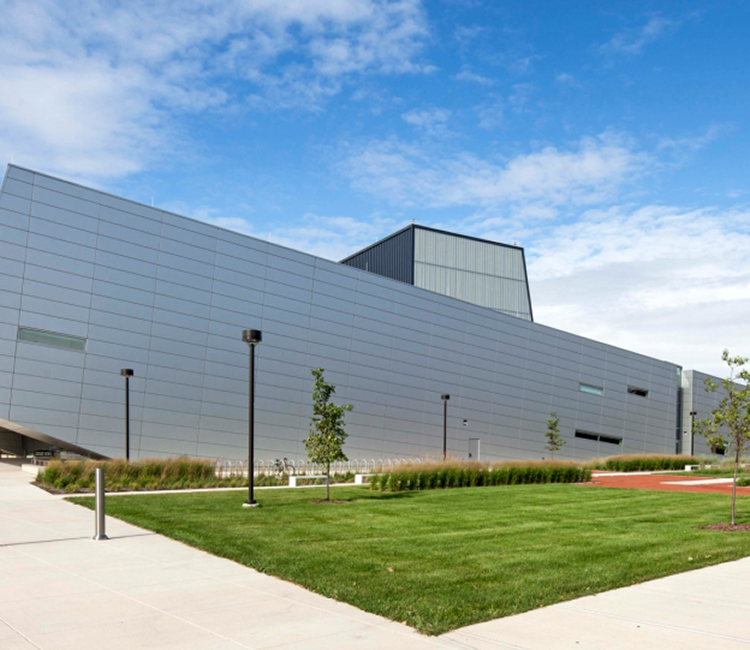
428 477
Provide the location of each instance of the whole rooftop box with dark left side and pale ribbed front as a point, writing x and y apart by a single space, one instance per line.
478 271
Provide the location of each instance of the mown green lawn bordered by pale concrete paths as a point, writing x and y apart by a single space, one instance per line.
458 556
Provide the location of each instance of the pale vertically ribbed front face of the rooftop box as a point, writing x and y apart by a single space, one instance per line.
486 274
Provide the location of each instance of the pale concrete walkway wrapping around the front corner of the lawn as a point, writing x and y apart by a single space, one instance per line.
59 589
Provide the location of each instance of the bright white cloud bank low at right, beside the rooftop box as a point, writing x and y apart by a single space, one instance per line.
662 281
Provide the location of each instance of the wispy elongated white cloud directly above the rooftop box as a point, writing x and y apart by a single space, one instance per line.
591 171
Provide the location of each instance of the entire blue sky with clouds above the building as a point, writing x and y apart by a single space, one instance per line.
607 138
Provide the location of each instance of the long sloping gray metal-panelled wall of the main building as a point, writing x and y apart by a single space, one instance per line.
168 296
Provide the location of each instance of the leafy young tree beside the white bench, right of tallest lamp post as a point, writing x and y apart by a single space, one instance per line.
325 441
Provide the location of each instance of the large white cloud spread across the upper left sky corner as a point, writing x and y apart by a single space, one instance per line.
97 90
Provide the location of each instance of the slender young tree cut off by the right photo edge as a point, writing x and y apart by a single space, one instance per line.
731 417
